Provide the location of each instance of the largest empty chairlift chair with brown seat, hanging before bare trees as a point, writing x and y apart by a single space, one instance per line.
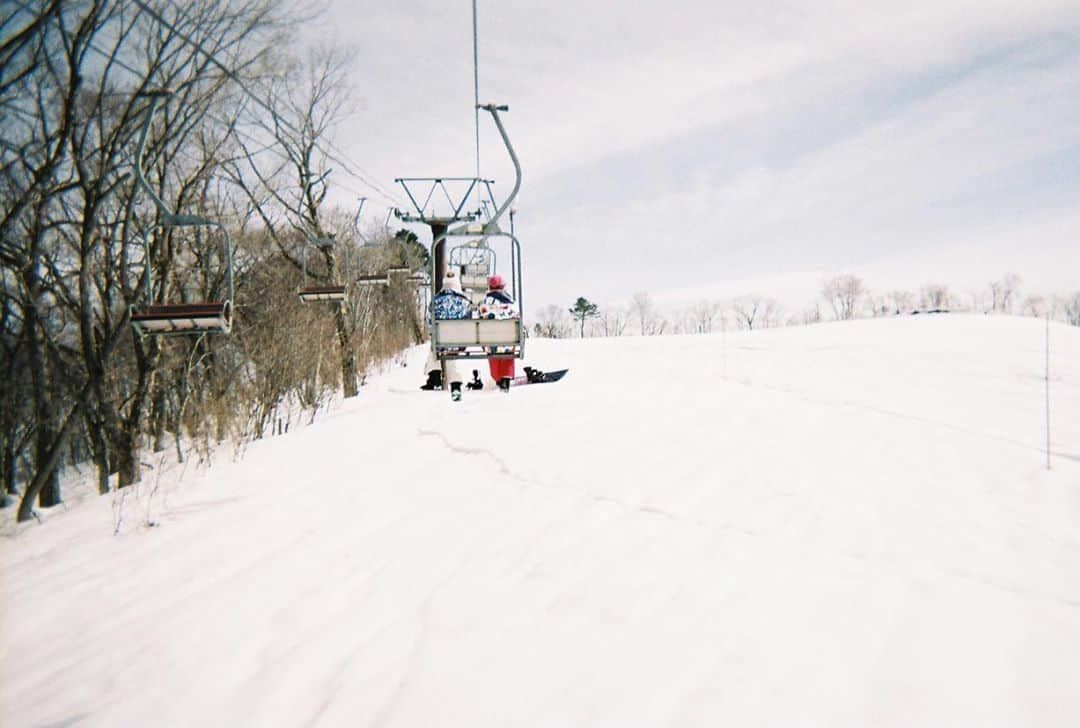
212 317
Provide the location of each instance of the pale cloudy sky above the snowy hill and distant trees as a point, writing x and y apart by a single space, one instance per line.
708 150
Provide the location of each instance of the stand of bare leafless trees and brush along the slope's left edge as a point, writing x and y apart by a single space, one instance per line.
76 385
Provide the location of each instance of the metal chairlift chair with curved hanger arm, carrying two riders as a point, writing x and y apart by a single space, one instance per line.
487 339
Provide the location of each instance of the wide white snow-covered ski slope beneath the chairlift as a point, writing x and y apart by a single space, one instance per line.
838 525
